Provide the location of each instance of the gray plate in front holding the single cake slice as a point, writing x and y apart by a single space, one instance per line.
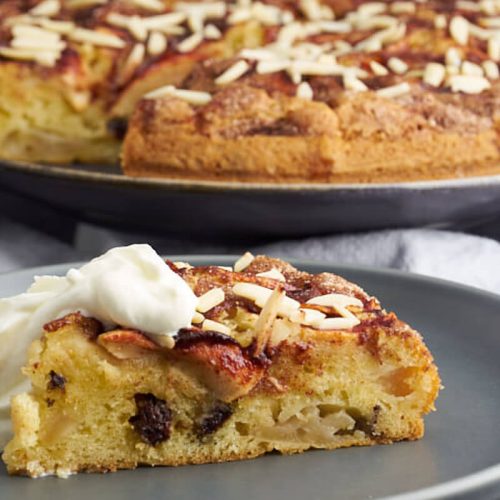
459 456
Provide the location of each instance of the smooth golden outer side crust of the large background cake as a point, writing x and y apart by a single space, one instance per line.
309 160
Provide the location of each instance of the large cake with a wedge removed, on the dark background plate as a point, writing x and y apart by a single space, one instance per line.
272 91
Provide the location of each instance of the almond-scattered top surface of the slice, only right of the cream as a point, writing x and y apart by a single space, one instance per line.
321 302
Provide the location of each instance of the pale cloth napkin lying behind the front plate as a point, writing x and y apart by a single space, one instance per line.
459 257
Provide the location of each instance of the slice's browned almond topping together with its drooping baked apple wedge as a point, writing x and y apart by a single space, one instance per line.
246 315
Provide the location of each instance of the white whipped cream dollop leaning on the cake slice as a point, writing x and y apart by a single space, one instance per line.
127 286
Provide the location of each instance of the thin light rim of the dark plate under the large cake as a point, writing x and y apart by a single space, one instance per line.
96 177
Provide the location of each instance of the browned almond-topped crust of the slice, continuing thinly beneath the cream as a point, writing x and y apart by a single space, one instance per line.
236 306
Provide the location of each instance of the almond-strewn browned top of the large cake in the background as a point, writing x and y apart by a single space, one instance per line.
308 48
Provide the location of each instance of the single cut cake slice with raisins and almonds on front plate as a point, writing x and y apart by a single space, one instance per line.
275 359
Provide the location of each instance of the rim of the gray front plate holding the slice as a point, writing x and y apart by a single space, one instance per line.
477 481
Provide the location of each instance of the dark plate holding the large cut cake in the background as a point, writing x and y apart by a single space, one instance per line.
234 210
